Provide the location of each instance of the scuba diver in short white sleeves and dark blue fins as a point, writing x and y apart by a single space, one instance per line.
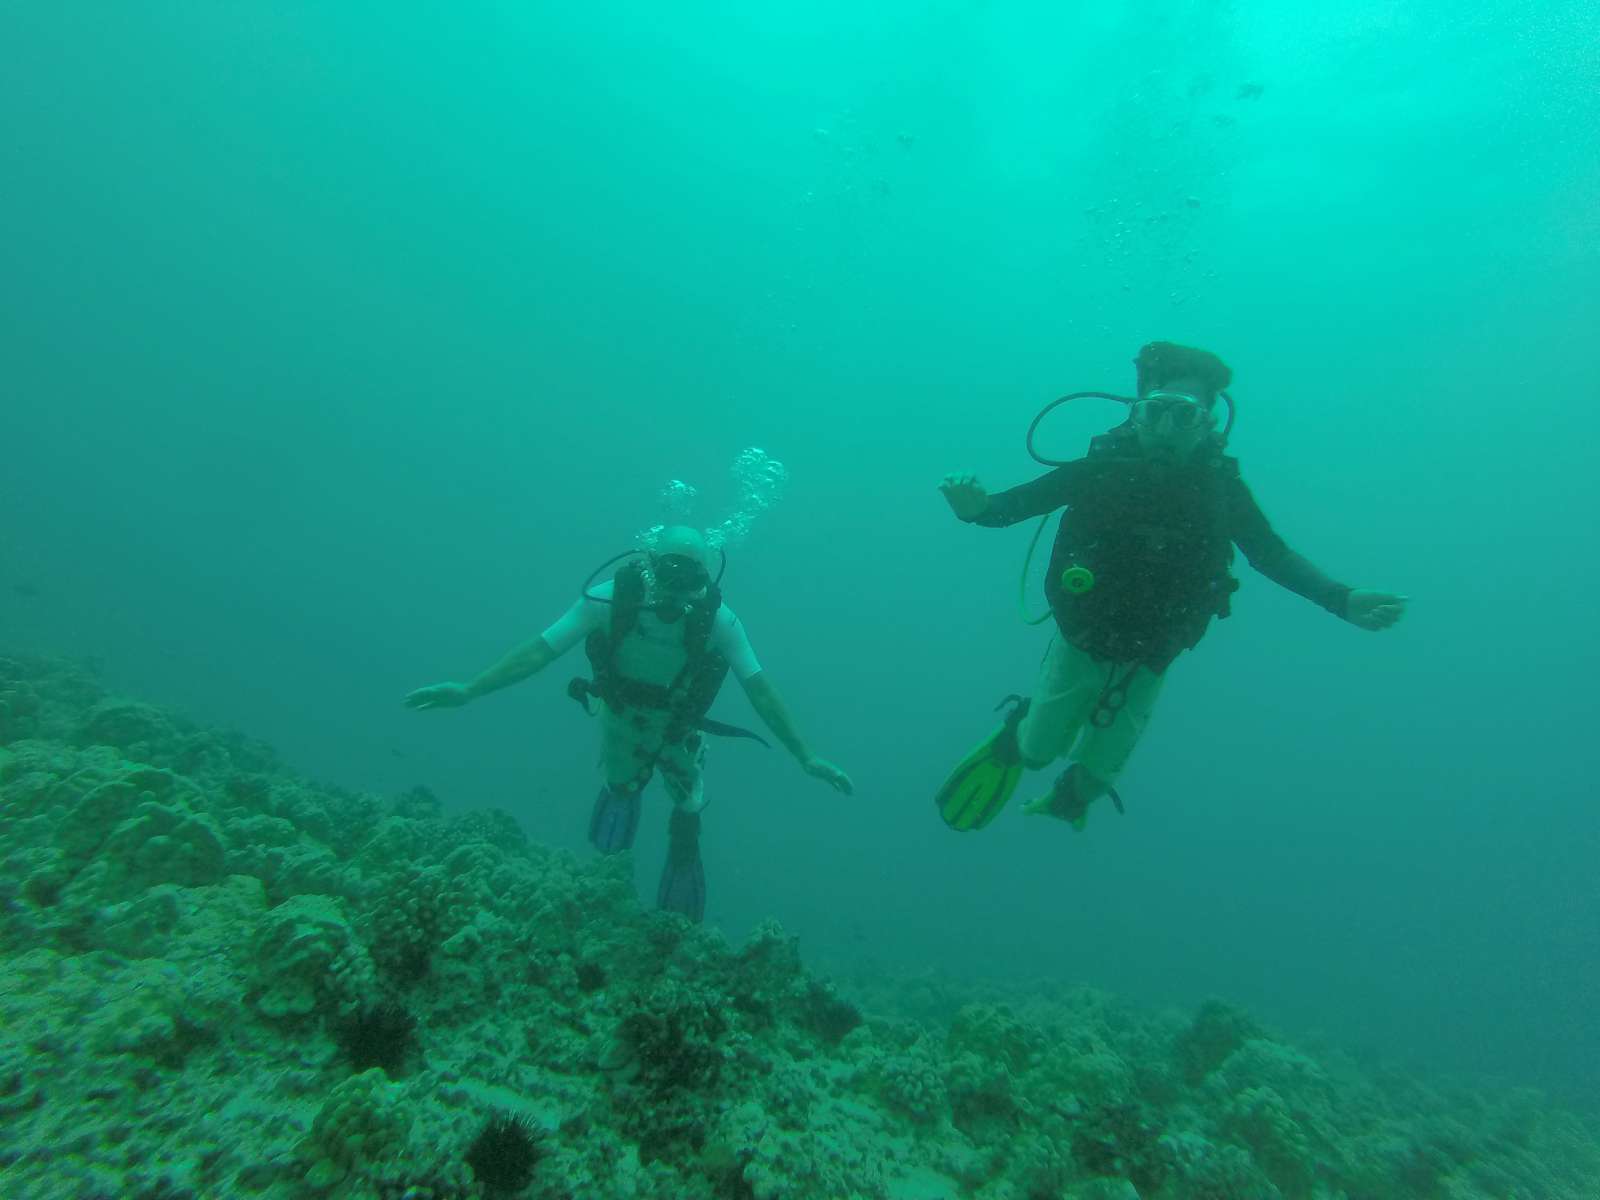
660 642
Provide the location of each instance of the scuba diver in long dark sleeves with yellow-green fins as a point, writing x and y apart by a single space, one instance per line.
1138 570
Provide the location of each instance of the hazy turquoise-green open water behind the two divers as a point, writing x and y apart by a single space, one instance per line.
342 342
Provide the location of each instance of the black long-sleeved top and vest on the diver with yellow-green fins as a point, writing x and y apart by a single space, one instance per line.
1159 538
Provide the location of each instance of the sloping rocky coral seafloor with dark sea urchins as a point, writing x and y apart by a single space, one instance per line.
220 980
